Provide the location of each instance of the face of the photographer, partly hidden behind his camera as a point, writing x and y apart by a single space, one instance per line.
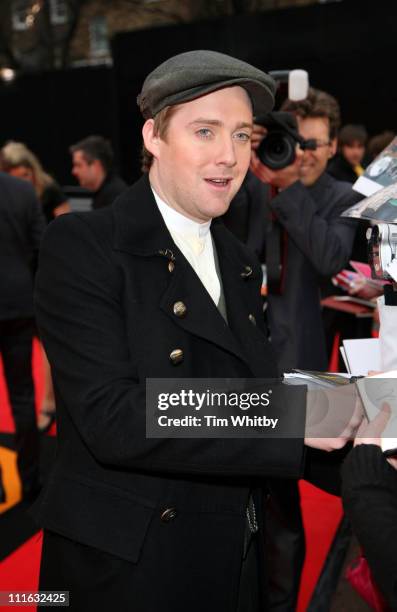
314 163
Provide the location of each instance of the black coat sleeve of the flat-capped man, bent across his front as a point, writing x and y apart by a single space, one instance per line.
80 314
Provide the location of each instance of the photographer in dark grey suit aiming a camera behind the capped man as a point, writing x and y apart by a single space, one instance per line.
314 242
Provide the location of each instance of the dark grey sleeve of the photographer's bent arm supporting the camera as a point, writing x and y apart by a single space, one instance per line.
326 242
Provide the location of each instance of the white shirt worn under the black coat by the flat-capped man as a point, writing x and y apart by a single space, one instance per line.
195 242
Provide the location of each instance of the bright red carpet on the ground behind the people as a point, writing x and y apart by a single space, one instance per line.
321 514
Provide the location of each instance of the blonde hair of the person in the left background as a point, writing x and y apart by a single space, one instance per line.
15 154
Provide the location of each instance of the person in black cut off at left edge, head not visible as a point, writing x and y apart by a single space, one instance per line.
21 228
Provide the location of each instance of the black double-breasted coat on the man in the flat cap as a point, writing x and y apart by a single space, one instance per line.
104 298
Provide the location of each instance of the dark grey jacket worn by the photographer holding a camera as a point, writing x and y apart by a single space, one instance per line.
318 244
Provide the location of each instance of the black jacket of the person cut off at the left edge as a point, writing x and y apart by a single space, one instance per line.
21 228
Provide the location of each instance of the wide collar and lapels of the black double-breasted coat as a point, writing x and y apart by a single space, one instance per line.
140 230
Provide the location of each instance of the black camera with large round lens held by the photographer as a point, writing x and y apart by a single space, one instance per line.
277 149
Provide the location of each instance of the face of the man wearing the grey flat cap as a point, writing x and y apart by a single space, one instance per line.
201 164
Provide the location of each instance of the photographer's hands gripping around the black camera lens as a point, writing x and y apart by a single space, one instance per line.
278 178
